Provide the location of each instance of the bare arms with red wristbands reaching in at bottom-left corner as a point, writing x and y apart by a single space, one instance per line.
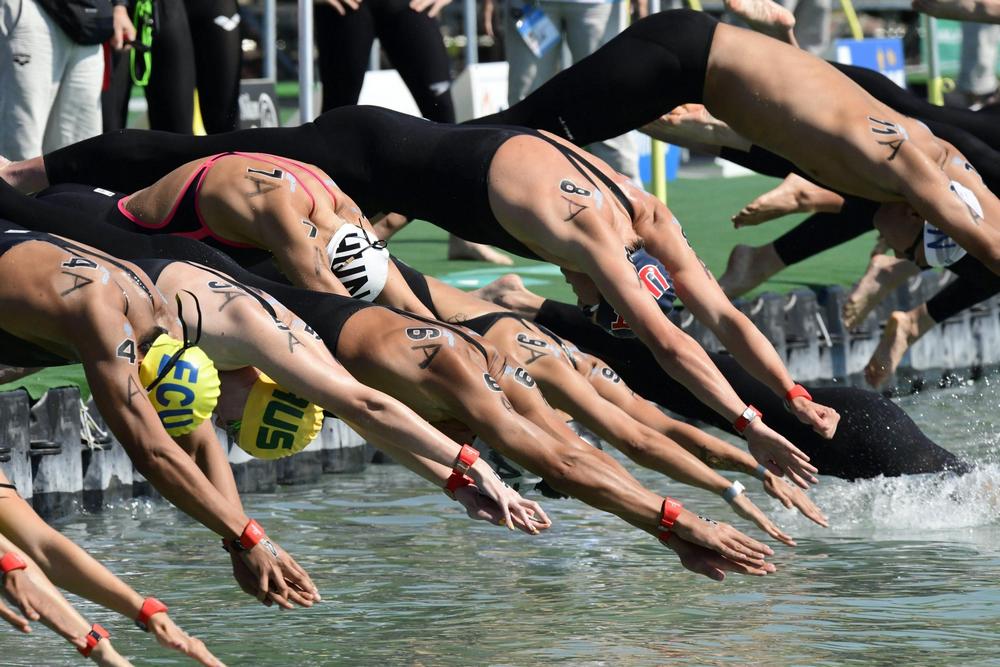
49 558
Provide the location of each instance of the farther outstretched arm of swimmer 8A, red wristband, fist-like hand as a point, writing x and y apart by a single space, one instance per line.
701 294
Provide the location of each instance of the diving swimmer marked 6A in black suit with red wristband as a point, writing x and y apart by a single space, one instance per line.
451 377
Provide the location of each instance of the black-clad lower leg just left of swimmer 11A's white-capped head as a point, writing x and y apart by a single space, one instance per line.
822 231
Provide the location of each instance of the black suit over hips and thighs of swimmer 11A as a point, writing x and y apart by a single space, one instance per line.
654 65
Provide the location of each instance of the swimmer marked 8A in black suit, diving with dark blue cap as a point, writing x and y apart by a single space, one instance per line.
528 193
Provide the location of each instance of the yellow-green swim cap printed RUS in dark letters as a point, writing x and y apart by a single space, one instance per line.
277 423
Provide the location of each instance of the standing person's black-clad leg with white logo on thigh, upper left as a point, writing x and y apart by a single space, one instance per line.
218 56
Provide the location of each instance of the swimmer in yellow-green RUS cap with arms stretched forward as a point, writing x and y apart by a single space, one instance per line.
252 338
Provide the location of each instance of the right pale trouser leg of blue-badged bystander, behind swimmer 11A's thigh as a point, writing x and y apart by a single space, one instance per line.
588 27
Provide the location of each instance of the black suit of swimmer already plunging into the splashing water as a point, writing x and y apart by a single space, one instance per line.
875 437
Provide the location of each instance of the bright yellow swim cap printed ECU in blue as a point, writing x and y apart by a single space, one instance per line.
189 388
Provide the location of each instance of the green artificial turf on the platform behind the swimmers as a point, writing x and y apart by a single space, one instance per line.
703 207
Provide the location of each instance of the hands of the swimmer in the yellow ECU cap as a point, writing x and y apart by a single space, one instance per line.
274 577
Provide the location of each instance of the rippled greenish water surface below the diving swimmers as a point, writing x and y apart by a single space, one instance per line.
909 572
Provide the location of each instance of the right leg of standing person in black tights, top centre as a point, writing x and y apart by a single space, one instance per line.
413 43
